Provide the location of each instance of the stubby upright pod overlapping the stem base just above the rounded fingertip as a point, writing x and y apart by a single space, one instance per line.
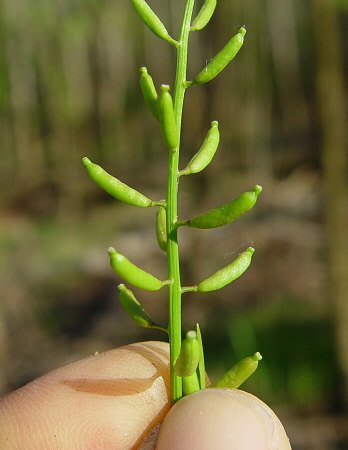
188 360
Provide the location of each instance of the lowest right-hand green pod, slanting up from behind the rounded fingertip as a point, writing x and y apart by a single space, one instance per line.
240 372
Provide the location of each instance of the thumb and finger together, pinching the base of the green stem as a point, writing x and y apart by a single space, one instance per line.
117 399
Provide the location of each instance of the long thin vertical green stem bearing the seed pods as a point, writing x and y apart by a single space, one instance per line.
172 207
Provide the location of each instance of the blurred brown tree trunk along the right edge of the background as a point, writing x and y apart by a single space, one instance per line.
333 115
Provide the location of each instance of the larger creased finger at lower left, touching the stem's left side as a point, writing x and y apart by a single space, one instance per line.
107 401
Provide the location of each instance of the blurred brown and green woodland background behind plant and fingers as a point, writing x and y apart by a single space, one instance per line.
69 87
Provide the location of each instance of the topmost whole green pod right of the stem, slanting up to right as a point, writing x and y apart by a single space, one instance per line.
220 61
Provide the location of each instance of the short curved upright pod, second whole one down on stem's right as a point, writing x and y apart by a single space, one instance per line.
206 153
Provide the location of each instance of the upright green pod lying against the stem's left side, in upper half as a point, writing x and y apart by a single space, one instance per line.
167 118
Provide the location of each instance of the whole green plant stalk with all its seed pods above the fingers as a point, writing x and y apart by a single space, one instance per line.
187 365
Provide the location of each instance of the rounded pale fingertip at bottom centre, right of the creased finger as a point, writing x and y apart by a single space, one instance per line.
221 419
